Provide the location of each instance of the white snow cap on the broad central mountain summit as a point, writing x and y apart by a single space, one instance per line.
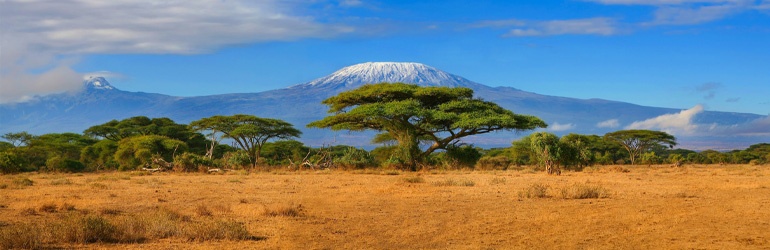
375 72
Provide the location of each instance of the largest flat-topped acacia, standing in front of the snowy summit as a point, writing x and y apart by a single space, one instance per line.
410 114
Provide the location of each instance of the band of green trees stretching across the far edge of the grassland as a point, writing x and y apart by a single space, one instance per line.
418 127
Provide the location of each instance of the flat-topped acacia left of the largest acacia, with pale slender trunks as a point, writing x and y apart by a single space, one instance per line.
248 131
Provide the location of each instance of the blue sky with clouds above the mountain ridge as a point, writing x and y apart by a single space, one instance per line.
664 53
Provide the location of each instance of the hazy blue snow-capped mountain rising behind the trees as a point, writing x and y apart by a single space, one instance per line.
300 104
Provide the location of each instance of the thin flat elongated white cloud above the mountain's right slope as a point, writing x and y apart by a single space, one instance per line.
589 26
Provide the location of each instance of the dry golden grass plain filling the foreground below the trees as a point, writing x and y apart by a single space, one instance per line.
640 207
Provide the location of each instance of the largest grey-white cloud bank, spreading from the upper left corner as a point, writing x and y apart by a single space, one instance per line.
45 36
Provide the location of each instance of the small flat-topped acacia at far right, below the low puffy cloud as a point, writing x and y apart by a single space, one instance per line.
637 142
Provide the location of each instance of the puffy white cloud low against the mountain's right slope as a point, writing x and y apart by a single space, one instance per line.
676 124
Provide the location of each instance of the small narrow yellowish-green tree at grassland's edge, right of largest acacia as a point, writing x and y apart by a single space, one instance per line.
548 151
